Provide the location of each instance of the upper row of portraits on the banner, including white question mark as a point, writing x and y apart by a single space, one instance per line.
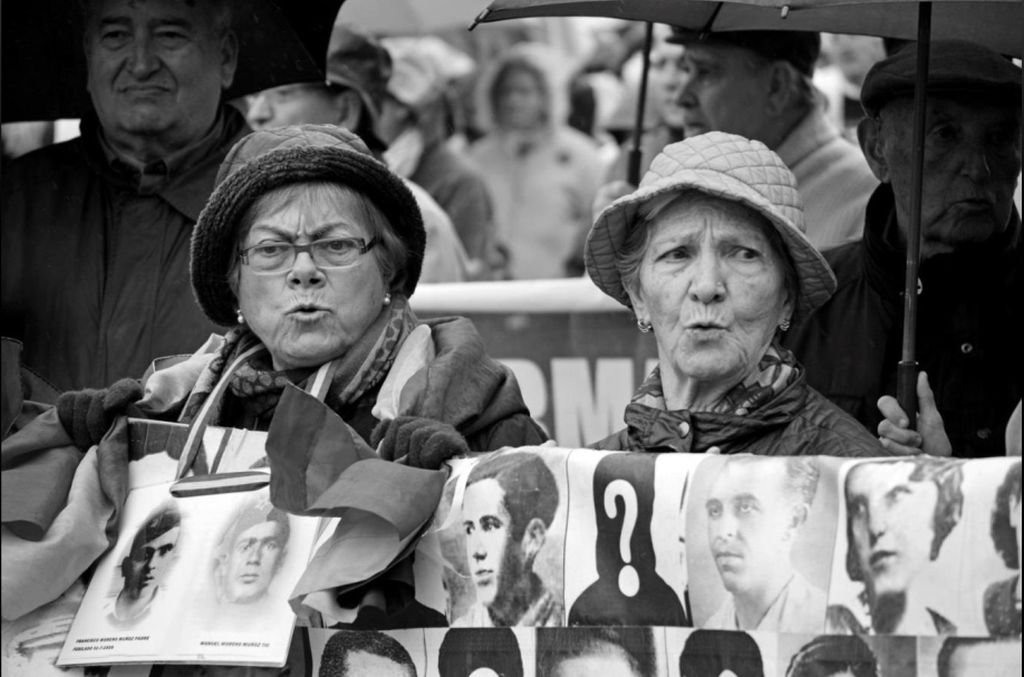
799 545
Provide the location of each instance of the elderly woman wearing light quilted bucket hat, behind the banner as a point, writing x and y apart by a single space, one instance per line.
710 255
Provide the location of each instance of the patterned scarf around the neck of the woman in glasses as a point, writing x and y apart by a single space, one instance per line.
259 386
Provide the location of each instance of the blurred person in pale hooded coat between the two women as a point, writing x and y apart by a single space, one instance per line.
542 174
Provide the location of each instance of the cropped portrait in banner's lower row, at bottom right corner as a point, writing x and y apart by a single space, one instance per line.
969 657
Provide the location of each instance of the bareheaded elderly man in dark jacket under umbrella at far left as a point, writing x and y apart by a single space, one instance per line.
97 231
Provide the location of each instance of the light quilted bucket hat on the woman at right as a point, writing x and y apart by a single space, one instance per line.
726 166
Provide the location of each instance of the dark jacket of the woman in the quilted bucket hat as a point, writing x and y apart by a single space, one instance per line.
797 422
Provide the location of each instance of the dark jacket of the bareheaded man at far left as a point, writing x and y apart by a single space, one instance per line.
96 264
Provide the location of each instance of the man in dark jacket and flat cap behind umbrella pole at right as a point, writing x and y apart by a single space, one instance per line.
969 322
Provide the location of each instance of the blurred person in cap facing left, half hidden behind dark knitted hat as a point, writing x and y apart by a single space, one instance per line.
359 70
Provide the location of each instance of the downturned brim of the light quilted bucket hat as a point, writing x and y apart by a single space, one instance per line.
613 227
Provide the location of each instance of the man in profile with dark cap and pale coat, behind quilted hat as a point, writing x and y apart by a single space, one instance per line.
758 84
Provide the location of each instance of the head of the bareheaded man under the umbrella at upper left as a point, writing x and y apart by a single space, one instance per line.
157 68
